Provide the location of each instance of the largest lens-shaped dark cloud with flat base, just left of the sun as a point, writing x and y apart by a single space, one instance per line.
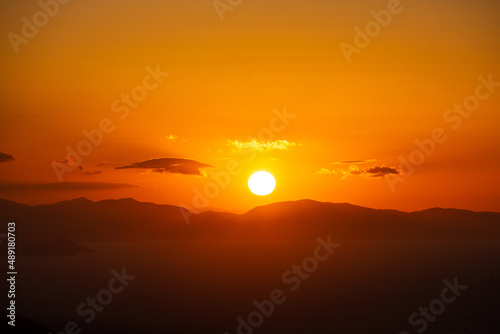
170 165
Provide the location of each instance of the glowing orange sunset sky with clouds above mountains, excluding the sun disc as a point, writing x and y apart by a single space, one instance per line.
266 88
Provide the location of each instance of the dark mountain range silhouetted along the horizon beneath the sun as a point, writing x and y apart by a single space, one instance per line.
82 220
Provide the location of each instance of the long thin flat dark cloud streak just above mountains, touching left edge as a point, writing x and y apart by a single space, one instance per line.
64 186
